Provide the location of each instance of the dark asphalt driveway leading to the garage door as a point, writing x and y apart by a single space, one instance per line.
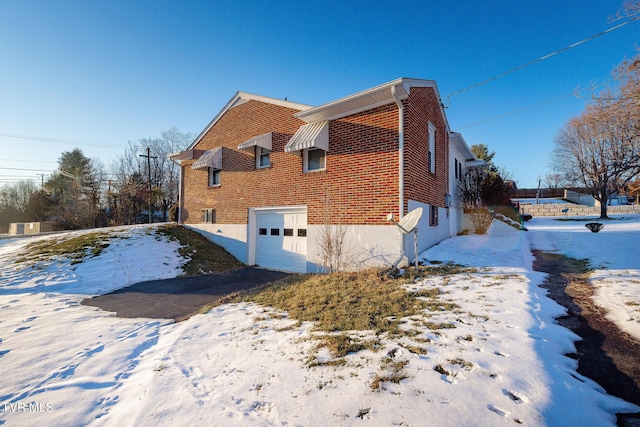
181 297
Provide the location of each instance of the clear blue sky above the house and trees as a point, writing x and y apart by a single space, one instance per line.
108 72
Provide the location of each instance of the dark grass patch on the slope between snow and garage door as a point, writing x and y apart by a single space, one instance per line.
204 257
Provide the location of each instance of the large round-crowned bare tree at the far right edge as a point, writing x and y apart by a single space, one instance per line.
600 149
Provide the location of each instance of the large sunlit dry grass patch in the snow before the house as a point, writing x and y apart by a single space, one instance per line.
340 304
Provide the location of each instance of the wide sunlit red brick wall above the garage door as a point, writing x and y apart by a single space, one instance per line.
359 185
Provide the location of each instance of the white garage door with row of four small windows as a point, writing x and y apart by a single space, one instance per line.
281 239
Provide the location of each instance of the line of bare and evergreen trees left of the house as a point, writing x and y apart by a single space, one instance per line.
83 193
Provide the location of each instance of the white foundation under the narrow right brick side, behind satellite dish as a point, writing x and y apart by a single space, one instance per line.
428 235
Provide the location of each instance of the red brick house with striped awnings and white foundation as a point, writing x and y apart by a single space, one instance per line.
267 177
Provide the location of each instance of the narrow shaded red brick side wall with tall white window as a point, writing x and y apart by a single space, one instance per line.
421 185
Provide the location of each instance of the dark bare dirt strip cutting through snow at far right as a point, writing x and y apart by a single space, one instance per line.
607 355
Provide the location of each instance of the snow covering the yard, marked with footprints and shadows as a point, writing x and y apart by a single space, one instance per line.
242 364
